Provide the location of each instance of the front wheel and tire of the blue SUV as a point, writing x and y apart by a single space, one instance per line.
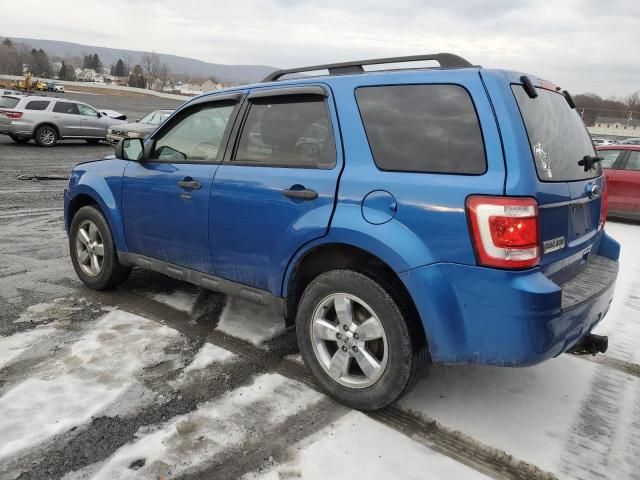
93 252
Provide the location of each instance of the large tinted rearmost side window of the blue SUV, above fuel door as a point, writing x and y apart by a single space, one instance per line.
422 128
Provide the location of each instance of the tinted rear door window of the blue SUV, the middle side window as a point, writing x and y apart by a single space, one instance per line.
289 131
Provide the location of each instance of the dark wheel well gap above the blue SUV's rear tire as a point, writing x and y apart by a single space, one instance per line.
324 257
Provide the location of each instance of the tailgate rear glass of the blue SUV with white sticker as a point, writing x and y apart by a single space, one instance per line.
557 135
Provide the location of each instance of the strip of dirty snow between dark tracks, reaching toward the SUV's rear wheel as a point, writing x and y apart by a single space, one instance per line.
189 441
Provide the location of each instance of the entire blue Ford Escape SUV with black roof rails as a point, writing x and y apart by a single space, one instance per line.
452 214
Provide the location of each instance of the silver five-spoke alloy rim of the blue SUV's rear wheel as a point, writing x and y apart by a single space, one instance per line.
349 340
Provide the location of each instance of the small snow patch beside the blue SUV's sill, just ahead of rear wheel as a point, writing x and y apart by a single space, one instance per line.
250 321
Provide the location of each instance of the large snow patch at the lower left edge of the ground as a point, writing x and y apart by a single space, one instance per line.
97 365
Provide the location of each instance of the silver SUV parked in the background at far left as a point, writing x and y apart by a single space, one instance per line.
49 119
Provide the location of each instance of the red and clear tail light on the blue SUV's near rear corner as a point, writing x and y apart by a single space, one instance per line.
505 231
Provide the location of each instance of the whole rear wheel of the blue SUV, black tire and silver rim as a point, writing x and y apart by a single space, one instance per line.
363 346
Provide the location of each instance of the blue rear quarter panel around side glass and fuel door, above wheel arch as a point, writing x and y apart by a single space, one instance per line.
430 224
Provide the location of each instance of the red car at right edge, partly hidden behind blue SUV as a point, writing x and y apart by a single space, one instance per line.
621 164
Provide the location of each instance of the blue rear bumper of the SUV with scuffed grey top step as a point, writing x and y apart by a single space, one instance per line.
481 315
